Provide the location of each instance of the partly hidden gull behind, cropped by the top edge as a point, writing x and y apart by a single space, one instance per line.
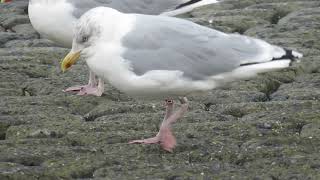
55 19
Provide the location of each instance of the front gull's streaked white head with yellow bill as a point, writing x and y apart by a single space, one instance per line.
88 31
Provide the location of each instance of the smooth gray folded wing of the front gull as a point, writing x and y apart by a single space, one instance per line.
174 44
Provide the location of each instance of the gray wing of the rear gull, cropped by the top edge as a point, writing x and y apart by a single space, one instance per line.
127 6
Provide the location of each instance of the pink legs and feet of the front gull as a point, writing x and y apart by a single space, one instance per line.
165 136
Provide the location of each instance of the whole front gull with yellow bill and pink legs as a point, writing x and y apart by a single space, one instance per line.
163 57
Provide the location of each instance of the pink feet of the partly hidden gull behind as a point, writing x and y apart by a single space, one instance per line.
85 90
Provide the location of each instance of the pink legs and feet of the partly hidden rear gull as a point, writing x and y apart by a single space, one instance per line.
91 88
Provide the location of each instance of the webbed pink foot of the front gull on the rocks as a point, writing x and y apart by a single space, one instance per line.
165 138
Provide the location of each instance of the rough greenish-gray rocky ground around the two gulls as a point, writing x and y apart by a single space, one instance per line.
264 128
